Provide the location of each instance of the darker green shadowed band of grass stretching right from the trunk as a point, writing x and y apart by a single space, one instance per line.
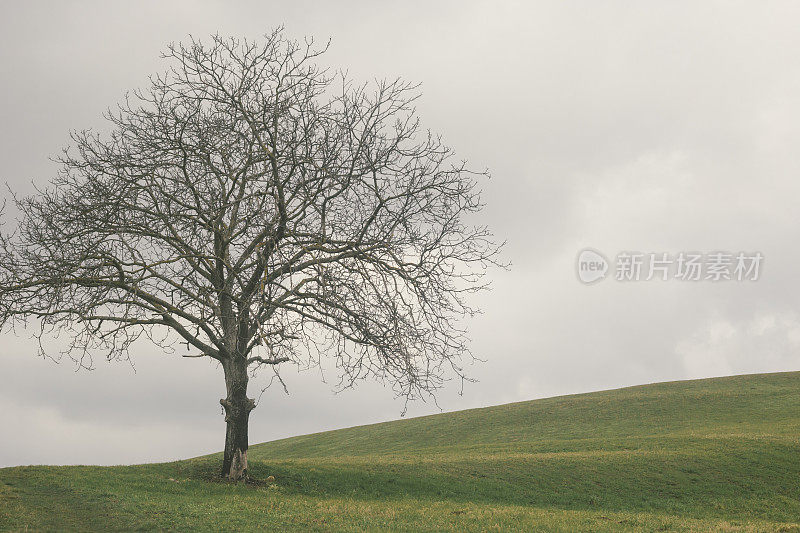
735 482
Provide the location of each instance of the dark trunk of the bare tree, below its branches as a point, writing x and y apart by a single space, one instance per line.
237 414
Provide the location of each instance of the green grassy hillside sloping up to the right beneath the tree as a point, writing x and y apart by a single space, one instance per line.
716 454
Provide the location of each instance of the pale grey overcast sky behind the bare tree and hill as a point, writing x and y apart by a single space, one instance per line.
650 126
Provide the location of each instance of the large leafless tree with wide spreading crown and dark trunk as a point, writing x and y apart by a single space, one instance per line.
260 210
